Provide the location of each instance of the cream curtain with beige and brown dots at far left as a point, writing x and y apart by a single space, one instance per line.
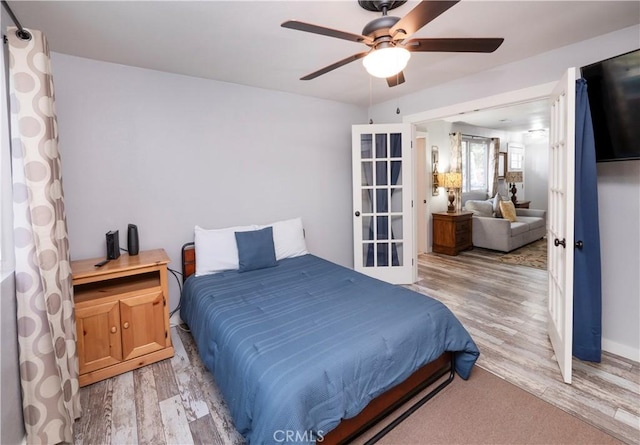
46 320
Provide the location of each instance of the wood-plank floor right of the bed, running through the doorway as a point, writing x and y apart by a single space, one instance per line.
504 309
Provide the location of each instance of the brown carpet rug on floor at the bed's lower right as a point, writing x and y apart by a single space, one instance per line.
489 410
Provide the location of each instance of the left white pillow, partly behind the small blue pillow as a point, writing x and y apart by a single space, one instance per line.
216 250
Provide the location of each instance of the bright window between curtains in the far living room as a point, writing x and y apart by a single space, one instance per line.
475 163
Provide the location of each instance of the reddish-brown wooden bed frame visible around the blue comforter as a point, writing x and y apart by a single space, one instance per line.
435 375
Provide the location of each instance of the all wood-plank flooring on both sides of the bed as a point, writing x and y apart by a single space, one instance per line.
502 306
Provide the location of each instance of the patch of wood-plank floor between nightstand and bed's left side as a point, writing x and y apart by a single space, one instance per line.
174 401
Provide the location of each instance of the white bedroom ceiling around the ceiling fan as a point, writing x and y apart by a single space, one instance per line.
242 41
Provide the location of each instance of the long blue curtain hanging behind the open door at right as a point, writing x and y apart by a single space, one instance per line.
587 289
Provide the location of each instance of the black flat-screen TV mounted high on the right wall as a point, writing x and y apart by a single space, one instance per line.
613 87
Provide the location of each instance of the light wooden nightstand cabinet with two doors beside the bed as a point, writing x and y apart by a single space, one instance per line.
122 314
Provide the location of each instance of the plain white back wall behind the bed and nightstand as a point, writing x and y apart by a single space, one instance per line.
167 152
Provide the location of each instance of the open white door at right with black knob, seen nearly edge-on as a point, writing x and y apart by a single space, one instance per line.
560 240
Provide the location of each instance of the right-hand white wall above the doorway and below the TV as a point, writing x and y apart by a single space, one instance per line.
621 332
